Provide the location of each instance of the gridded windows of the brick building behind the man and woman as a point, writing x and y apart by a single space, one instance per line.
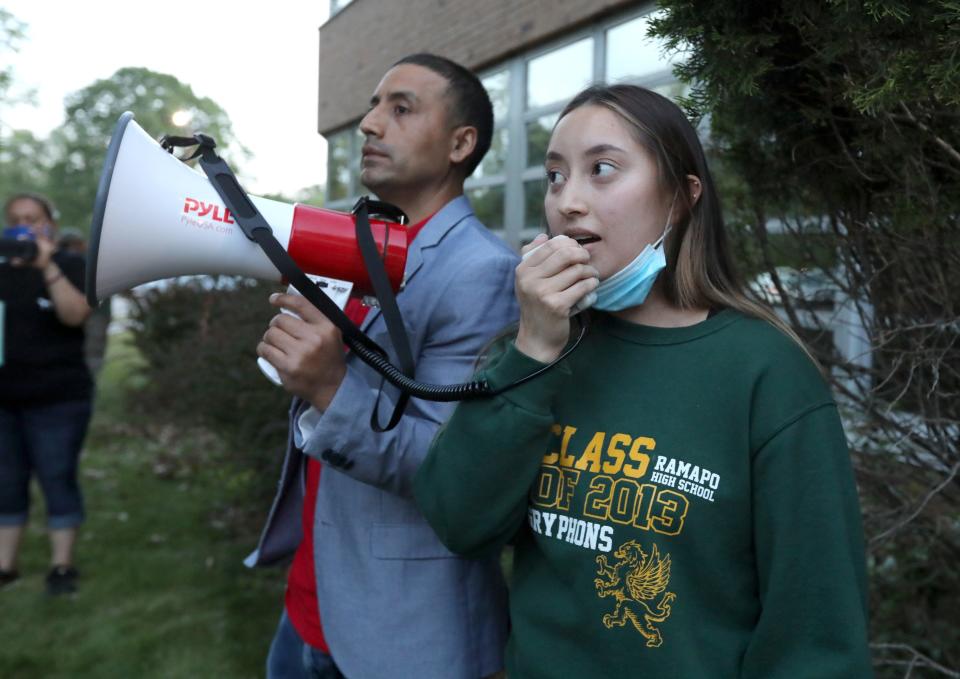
528 92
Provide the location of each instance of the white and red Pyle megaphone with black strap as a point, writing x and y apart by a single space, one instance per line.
155 217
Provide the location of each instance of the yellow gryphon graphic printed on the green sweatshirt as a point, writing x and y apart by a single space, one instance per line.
645 578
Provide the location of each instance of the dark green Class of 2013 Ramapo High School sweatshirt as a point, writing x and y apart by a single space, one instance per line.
682 505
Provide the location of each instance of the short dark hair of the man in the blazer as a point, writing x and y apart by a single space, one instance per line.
471 103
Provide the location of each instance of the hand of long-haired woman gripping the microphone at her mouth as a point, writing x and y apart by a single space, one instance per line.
549 283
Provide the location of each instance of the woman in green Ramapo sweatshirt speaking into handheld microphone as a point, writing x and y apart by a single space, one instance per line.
678 490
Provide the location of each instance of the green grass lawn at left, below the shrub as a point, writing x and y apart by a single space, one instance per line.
163 592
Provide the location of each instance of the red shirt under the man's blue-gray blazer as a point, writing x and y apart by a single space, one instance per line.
301 602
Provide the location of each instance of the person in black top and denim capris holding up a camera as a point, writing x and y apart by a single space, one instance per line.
45 390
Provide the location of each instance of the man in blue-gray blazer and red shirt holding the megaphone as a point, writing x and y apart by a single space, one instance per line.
392 601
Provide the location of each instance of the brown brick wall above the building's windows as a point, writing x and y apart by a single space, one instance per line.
359 44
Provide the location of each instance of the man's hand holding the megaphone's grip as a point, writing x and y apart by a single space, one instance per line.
306 351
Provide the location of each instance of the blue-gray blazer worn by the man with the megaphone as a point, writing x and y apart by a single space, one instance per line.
394 602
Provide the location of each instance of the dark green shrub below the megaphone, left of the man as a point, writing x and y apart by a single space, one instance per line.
197 340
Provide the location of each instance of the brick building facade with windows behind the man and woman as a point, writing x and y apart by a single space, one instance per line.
531 56
